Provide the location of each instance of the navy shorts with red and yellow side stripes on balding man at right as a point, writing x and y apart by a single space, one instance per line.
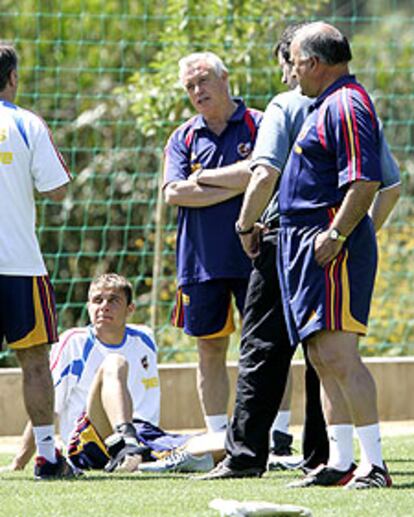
335 297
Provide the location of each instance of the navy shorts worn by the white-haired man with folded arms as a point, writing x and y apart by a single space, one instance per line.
205 309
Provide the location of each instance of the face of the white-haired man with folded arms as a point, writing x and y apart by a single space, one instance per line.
206 90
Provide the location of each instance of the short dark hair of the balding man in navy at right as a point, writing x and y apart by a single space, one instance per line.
332 47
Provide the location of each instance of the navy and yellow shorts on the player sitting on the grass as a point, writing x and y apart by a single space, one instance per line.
87 450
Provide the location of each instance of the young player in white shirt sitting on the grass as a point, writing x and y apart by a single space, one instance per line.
107 394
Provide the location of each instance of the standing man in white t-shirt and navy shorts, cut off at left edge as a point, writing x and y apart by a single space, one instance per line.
28 160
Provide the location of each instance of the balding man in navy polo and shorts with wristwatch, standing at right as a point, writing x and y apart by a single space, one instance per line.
327 253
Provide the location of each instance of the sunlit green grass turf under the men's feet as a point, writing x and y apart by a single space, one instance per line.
176 495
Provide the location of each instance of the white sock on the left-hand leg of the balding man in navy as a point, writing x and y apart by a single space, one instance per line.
341 450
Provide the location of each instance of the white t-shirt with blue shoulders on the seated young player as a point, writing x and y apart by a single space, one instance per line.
77 357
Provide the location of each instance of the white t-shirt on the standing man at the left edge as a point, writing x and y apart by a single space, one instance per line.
28 160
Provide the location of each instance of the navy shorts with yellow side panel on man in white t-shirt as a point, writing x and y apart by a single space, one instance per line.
28 311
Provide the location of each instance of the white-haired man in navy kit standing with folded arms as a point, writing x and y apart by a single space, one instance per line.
211 264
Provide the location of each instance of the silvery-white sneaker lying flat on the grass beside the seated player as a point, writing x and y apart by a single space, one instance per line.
179 461
